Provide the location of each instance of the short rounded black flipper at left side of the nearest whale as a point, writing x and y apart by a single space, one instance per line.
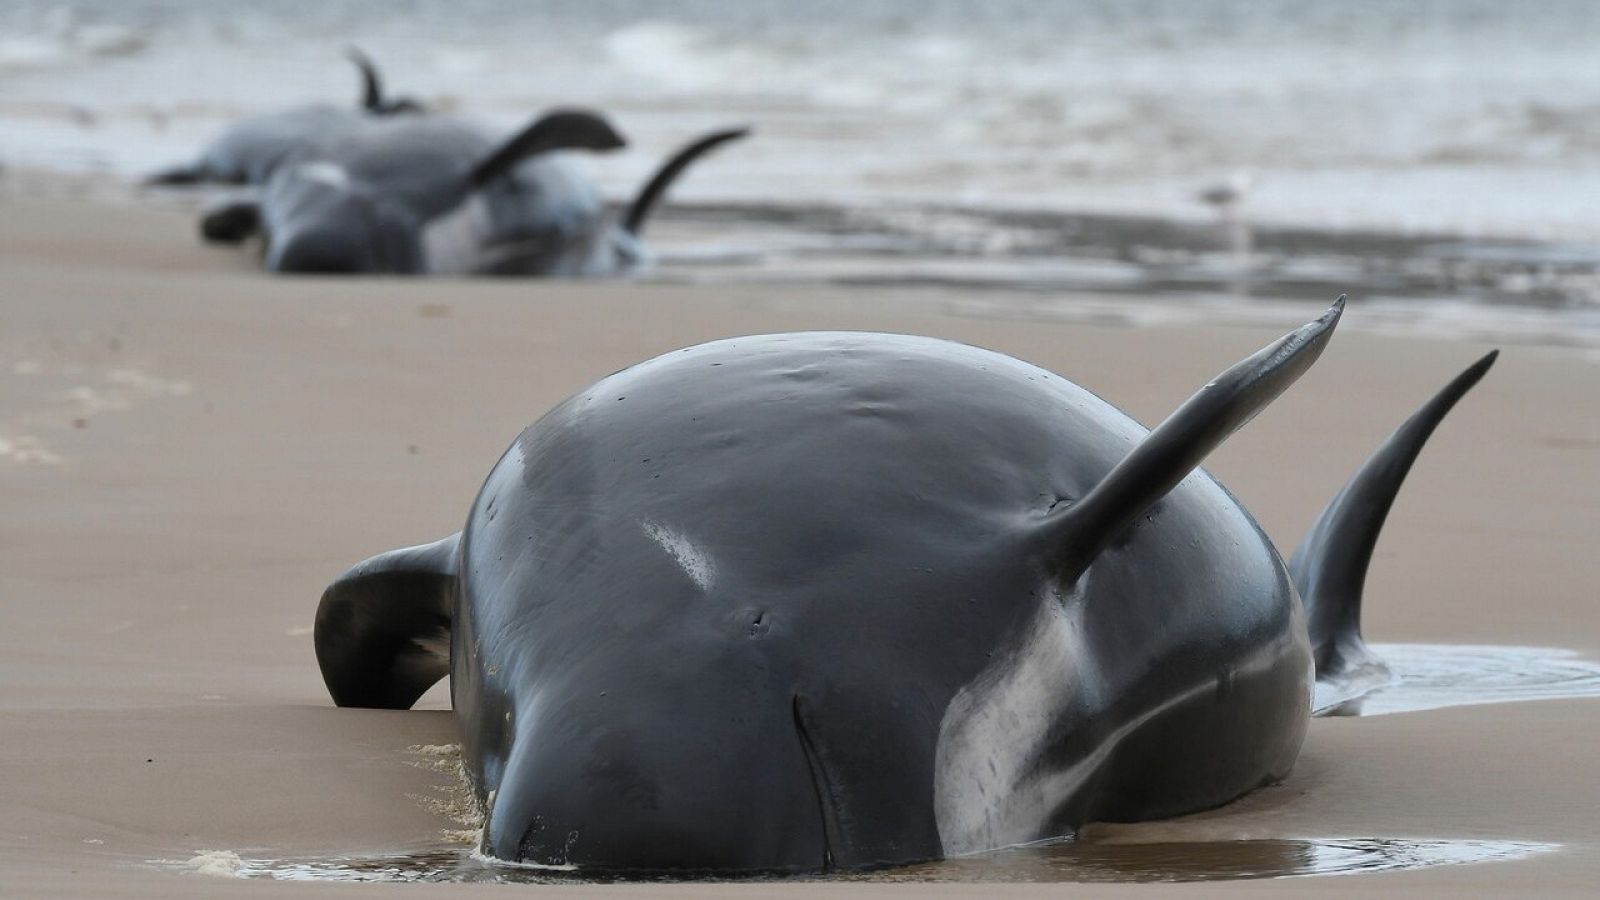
383 629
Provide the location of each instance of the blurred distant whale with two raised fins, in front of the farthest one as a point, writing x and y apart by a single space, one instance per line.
436 196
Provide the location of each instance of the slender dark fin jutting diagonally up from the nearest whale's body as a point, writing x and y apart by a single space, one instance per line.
1078 534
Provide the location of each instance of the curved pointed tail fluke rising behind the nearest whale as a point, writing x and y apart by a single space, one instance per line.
1330 563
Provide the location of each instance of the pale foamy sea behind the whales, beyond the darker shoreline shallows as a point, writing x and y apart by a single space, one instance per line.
1474 115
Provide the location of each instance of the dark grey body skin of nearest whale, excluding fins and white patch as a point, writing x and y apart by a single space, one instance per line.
870 504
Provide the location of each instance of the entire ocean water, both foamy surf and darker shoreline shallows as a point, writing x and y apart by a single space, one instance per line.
1047 147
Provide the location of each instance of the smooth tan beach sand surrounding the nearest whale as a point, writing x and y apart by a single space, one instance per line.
190 451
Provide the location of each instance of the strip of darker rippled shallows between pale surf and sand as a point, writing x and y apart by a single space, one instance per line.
1103 268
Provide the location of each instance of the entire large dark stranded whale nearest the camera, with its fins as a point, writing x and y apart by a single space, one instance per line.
818 601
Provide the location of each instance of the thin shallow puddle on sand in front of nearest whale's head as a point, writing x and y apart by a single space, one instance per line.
1057 862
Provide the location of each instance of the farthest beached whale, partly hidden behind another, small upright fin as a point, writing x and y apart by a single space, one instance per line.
250 150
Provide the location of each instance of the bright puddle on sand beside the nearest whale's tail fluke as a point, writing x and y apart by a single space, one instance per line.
1433 677
